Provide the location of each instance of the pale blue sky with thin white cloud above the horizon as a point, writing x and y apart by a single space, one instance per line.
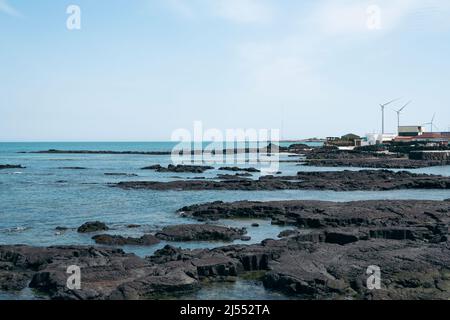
137 70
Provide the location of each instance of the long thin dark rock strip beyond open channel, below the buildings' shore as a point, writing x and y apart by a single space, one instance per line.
369 180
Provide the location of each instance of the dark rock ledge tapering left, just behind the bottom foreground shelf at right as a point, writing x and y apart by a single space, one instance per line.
350 221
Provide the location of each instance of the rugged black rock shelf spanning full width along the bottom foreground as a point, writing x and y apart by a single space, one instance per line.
294 266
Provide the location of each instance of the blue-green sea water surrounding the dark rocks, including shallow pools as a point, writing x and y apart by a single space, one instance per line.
37 199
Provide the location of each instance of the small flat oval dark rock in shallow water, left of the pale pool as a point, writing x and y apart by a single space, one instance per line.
199 232
